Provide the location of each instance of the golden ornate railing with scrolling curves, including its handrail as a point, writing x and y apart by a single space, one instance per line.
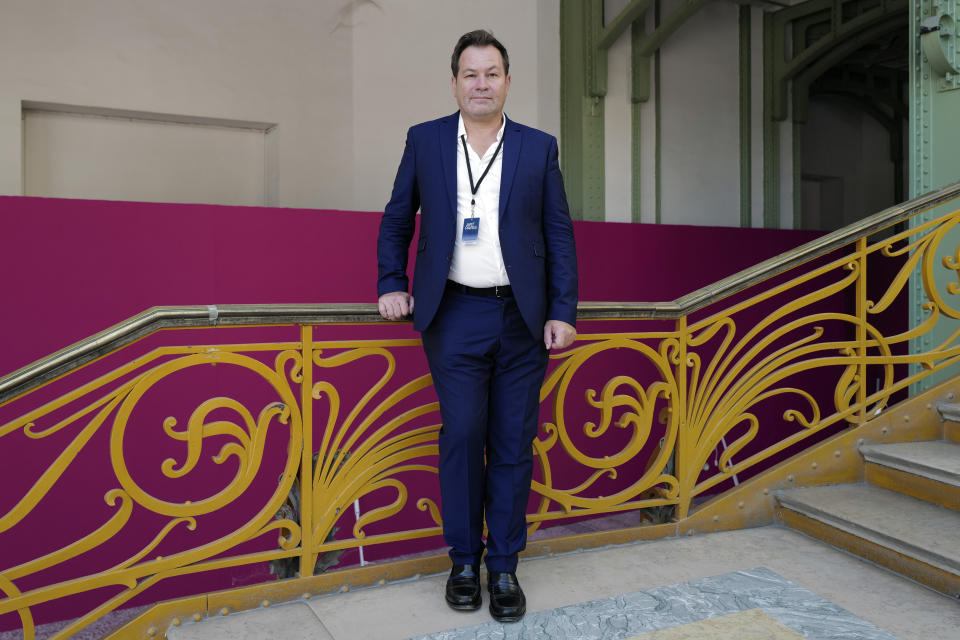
738 373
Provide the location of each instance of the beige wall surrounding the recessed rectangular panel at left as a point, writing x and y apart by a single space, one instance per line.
238 60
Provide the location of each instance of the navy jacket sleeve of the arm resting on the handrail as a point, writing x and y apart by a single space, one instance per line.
397 225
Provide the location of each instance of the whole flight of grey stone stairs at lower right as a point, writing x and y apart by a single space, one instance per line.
905 516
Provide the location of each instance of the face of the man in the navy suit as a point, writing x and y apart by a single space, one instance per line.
481 85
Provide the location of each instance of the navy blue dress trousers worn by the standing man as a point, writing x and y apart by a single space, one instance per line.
487 369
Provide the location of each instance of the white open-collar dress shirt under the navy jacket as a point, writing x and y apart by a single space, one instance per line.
479 264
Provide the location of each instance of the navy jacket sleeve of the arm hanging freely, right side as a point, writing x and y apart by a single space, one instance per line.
561 250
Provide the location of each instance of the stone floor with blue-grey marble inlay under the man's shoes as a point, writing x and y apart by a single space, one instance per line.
770 583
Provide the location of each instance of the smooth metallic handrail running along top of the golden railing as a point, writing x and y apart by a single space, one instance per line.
199 316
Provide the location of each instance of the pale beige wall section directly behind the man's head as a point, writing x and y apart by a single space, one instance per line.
401 71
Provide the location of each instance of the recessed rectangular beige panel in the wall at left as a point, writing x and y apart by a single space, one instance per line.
70 155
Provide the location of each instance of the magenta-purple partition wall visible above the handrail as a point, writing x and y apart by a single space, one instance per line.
71 268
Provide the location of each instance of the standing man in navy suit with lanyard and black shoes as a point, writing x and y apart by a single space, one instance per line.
495 286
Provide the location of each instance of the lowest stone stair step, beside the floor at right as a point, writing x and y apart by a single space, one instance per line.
912 537
